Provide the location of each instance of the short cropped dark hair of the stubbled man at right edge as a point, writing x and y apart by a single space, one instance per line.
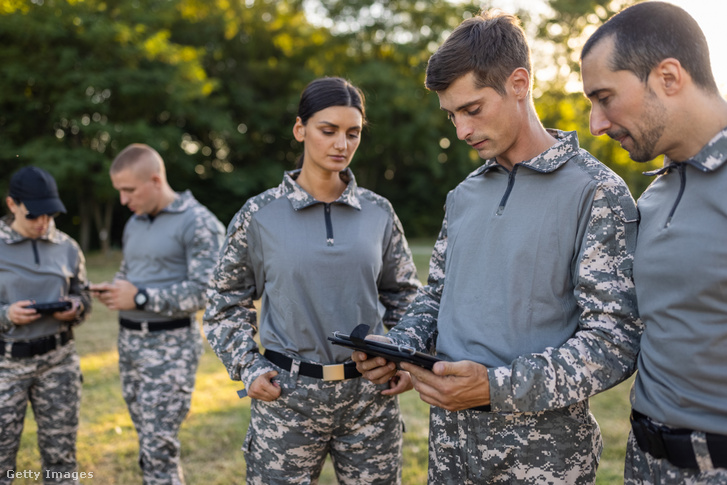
647 33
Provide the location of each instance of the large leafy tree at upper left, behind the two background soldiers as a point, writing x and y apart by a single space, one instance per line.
81 80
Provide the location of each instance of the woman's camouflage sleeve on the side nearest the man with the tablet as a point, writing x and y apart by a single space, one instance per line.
399 282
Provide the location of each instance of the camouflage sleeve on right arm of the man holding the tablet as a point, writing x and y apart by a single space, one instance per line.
603 351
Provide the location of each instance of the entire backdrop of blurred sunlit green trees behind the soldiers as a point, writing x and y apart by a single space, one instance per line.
214 86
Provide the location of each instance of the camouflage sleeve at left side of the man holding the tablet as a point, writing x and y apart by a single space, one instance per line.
418 326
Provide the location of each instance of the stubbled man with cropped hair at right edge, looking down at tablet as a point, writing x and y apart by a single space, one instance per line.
647 73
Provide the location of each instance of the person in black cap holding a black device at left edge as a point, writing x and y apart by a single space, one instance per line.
38 361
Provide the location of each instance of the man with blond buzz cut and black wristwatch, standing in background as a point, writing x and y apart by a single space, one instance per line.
170 246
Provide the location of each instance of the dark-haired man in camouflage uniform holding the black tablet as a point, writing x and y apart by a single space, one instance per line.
530 300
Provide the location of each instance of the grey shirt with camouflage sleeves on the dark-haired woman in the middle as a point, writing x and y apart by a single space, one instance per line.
317 267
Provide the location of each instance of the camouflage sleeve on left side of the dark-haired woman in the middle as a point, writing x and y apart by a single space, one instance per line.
230 321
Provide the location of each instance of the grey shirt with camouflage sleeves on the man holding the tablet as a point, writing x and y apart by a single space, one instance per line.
531 276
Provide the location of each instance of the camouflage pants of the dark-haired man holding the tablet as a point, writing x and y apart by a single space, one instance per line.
552 447
